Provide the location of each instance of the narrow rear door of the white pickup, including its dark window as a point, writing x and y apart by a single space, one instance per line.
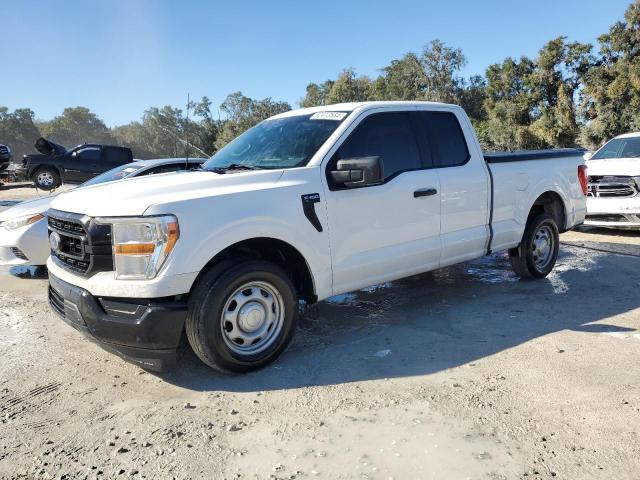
464 184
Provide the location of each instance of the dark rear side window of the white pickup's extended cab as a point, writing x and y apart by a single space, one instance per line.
440 134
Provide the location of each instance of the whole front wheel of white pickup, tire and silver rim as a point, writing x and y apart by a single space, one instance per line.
242 319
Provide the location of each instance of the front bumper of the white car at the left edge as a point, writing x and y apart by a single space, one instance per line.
26 245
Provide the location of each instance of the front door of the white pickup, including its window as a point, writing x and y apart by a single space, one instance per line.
390 230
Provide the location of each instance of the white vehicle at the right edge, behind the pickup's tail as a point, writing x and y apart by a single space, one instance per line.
614 184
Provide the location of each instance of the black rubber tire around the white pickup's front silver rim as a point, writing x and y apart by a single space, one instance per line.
210 297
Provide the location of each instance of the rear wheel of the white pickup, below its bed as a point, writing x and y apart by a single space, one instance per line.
524 259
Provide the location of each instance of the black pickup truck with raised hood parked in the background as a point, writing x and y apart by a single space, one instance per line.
55 164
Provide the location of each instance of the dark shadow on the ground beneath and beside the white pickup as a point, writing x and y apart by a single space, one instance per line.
440 320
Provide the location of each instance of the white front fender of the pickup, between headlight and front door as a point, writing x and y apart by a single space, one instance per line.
209 225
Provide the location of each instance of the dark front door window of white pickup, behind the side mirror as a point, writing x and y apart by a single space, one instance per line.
385 135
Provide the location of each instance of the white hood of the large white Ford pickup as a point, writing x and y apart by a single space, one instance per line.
133 196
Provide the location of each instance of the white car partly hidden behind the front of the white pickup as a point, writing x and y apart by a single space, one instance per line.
23 228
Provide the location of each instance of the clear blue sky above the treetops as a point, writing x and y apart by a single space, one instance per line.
119 57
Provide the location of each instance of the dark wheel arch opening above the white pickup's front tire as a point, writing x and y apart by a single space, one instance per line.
270 249
